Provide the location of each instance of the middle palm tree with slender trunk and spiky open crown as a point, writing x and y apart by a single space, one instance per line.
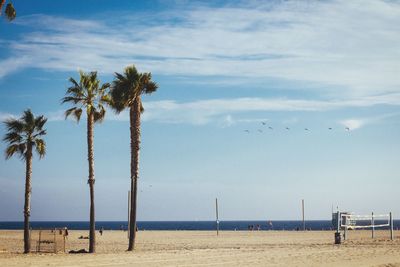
88 95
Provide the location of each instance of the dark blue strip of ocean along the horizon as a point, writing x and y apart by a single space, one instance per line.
180 225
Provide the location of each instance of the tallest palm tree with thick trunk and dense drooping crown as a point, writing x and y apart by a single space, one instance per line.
126 93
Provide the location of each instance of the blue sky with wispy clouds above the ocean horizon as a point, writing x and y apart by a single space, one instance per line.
248 92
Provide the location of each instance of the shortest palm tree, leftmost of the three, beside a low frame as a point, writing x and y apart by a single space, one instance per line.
24 135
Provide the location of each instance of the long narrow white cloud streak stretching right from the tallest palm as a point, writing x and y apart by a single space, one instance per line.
232 110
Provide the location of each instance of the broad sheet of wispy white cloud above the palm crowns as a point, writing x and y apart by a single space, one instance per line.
347 44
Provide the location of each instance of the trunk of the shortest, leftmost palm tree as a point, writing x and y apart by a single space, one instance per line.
27 206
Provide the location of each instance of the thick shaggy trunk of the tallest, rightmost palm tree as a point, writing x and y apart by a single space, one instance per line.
134 114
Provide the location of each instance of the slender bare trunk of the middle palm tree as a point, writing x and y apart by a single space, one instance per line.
92 227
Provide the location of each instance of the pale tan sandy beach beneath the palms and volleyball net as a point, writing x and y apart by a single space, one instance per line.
204 248
